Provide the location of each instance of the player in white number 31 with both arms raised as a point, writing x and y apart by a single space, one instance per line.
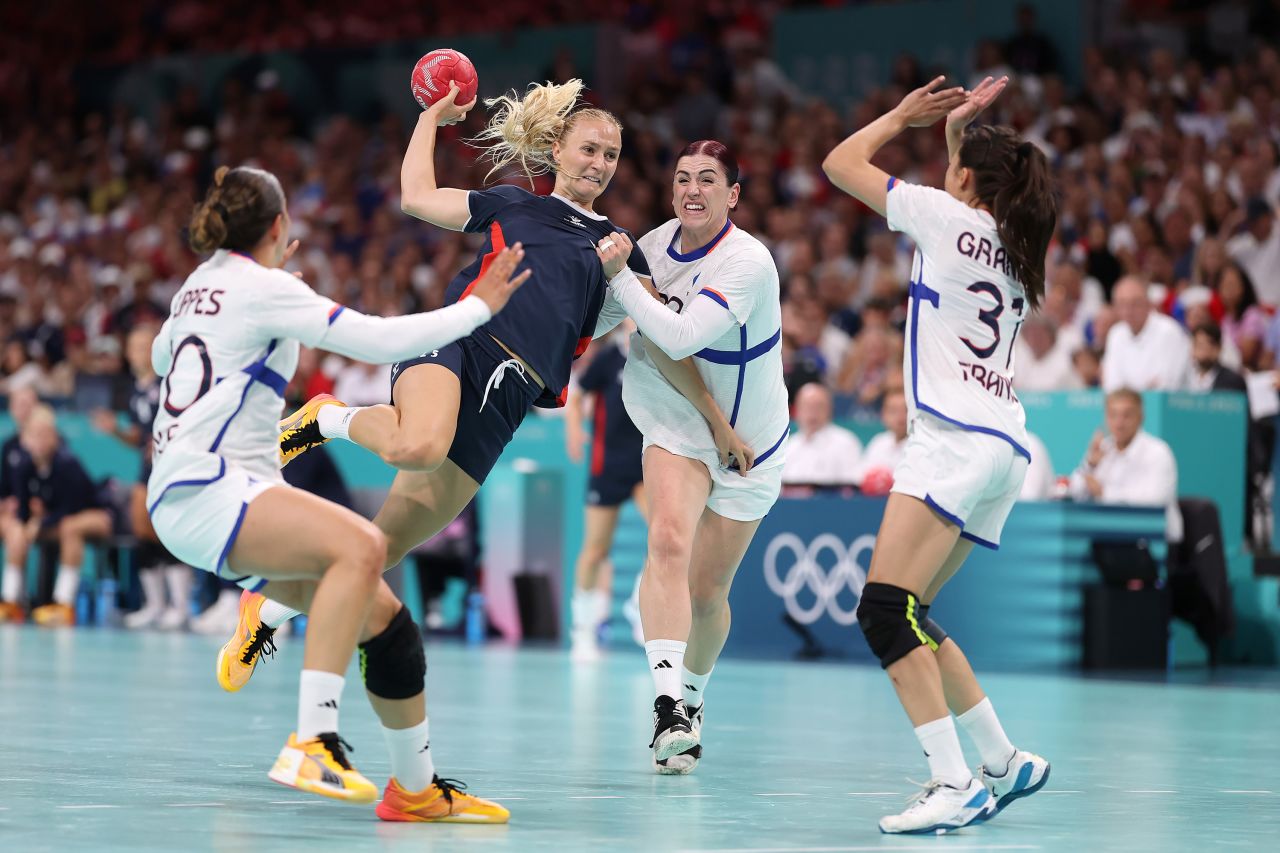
980 267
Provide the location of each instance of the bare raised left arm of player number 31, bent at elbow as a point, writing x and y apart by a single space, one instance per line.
849 166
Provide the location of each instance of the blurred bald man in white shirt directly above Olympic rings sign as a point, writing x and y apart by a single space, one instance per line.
821 453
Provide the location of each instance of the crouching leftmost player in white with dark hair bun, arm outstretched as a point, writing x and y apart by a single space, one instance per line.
217 499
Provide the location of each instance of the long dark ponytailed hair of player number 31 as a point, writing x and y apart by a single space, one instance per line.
1013 179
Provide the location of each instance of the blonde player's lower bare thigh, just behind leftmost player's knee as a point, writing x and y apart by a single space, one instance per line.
420 505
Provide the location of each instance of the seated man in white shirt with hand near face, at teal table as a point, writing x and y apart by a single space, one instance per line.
1128 466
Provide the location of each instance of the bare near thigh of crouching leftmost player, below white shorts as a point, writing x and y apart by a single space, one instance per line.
292 535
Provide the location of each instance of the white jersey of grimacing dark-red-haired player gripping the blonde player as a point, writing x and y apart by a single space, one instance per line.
743 370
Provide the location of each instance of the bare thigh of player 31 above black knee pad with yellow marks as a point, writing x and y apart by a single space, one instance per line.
913 545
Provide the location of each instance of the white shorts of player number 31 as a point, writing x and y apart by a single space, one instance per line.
968 478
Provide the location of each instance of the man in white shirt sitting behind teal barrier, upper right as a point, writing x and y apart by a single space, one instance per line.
1146 350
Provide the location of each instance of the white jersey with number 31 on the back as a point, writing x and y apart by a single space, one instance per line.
966 312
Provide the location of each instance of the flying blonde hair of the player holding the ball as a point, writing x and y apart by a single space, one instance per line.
524 129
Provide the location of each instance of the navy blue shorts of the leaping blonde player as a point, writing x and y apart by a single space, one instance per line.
479 437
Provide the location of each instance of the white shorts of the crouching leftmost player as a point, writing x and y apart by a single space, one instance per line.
198 508
